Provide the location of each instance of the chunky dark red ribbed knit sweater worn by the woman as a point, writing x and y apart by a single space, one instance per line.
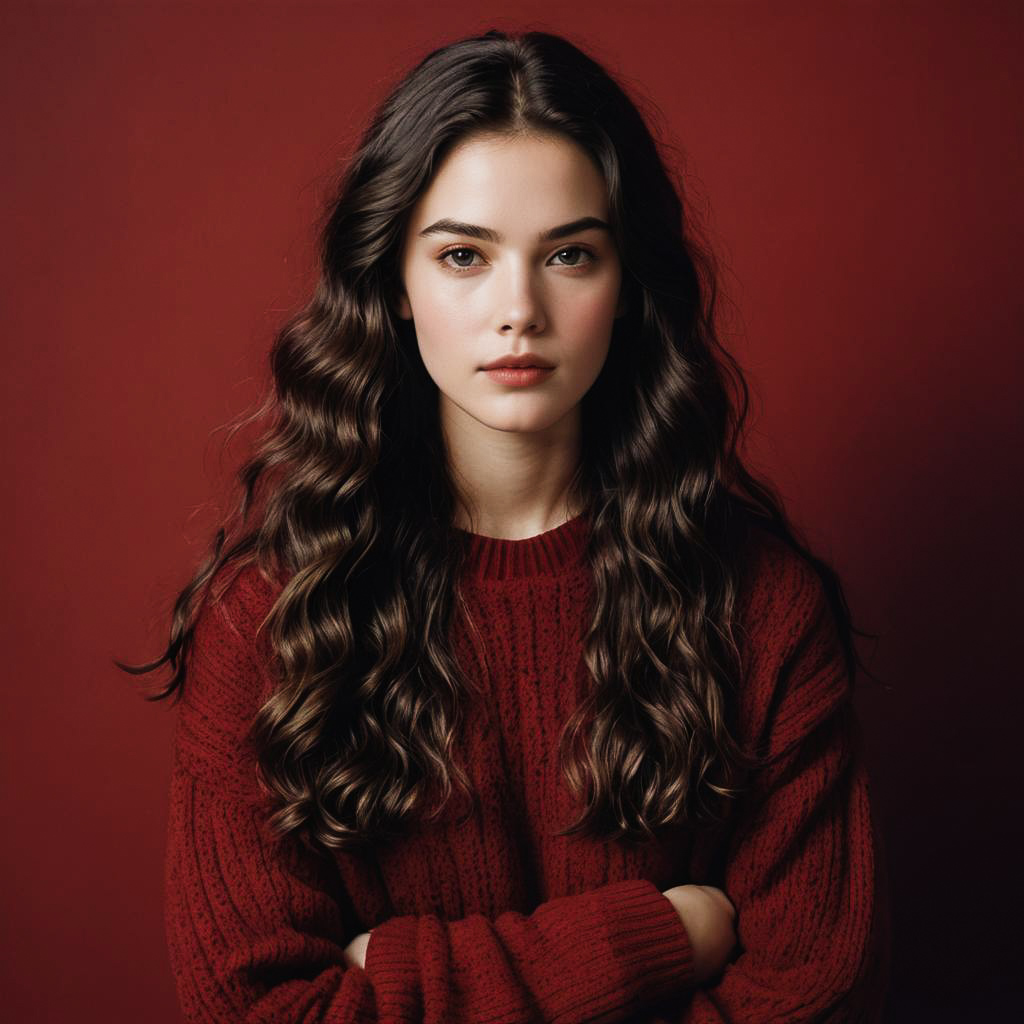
496 920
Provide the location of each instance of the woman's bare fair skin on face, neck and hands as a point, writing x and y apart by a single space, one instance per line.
474 300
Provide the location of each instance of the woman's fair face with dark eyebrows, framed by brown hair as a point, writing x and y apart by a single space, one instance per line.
506 255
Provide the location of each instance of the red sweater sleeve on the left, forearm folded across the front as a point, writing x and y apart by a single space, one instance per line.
258 925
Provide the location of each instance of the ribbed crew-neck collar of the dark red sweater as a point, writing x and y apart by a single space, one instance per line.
544 554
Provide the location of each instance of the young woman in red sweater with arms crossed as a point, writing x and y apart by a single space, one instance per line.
507 693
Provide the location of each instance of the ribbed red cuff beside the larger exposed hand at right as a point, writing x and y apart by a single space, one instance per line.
649 938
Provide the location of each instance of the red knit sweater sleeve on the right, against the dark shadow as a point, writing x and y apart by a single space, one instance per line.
804 869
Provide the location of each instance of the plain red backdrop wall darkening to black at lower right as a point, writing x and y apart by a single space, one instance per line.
163 170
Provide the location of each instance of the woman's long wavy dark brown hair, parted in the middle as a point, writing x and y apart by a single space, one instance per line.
349 501
